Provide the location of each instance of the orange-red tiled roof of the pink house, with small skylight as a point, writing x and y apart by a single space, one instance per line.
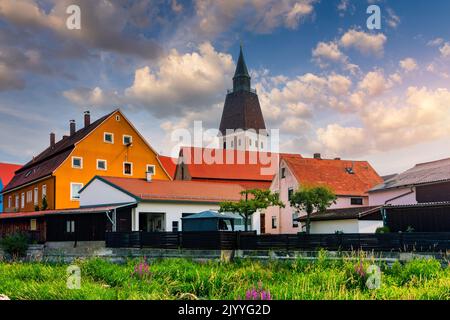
335 174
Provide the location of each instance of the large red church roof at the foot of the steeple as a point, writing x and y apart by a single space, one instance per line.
234 165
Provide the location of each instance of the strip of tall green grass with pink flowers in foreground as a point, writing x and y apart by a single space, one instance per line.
185 279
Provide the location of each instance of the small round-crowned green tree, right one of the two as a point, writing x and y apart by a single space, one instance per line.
311 199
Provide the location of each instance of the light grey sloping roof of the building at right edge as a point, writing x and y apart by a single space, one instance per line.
429 172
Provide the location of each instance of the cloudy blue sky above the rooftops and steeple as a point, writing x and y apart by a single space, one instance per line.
327 82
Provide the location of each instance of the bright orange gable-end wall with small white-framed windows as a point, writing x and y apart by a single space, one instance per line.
93 148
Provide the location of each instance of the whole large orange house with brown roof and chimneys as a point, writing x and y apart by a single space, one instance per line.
110 146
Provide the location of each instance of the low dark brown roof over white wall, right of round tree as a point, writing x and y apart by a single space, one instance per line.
346 213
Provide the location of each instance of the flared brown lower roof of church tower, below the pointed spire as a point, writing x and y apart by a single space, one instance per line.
242 111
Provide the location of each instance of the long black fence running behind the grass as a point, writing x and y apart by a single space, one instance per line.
421 242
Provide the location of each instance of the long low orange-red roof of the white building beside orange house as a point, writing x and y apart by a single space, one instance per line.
177 190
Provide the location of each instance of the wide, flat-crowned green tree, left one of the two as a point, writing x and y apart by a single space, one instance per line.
252 201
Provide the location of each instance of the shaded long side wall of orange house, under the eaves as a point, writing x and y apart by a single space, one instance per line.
30 206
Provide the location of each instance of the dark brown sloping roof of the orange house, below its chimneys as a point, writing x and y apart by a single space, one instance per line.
51 158
